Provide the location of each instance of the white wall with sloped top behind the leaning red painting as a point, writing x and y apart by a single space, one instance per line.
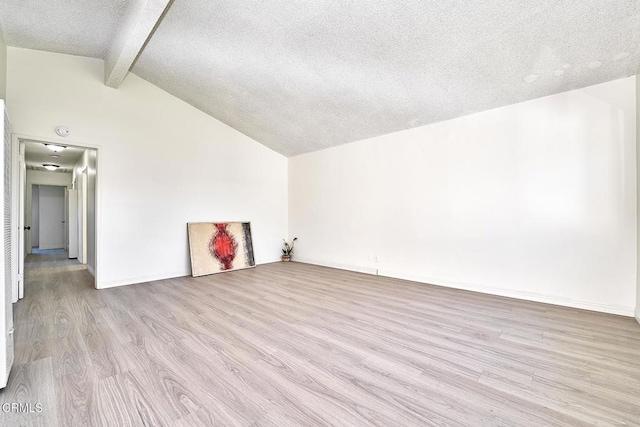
161 164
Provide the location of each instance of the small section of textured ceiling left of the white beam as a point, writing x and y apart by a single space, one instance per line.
75 27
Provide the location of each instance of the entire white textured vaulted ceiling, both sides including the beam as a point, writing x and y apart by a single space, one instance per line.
302 76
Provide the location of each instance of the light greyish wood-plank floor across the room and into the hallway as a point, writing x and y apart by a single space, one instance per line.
294 344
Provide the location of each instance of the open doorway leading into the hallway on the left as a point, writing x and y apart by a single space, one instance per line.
57 206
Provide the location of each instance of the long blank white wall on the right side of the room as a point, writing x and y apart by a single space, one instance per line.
535 200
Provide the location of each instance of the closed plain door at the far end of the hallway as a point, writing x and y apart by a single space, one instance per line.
52 221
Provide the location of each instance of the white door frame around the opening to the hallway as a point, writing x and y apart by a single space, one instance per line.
18 205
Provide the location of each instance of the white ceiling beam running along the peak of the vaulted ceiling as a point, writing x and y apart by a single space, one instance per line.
141 19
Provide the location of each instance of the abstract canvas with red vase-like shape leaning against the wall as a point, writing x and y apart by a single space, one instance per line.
219 246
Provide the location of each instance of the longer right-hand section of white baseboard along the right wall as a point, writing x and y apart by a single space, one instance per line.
524 295
